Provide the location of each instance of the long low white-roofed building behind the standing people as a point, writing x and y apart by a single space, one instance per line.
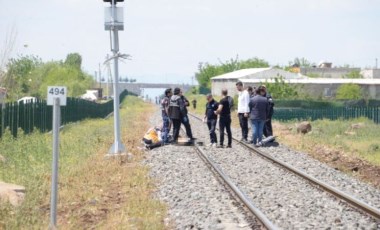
317 87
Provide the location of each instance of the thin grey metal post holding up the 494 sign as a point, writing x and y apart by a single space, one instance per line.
54 177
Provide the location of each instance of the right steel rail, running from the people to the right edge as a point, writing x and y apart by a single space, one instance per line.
337 193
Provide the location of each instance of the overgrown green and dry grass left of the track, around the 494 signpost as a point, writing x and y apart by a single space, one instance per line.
93 192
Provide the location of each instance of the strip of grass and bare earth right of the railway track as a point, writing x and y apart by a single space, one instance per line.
355 152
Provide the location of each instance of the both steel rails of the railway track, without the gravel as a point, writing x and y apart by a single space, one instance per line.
347 198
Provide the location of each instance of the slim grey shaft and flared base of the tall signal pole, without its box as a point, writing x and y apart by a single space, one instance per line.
117 147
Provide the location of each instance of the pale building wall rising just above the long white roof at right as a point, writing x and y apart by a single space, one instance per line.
327 72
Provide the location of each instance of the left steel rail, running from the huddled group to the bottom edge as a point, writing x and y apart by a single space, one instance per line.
242 196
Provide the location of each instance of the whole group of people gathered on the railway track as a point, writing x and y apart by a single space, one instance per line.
254 104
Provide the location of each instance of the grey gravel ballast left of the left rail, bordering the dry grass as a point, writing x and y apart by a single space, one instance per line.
195 198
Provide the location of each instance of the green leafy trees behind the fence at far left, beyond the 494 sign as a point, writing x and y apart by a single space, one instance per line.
29 76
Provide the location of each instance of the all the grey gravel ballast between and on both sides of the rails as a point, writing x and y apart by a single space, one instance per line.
196 199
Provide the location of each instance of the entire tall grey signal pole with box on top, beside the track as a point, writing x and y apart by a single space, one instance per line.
114 23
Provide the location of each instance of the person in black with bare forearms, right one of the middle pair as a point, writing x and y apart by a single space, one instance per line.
224 111
